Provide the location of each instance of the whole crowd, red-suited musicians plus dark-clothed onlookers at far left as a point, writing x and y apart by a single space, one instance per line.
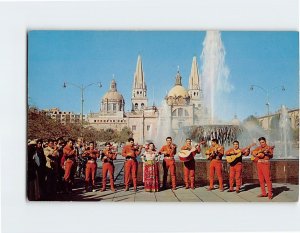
52 165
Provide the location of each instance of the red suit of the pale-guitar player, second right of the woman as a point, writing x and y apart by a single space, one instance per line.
189 167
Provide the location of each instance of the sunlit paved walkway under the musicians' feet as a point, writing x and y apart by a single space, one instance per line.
282 193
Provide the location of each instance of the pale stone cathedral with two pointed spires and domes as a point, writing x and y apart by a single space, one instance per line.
182 107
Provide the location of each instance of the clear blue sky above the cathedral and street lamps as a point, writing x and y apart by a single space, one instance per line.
263 58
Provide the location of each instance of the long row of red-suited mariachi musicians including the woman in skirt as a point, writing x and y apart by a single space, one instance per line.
68 156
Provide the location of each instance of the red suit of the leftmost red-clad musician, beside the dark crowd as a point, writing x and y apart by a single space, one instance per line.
69 164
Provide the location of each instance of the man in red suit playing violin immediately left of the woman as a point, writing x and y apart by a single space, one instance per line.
130 152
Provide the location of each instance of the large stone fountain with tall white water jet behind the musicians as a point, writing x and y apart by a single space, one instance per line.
215 85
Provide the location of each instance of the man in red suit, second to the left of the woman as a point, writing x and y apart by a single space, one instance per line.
108 155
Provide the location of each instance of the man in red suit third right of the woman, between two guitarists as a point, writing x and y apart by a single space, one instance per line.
215 154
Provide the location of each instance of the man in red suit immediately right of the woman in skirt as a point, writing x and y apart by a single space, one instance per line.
169 151
